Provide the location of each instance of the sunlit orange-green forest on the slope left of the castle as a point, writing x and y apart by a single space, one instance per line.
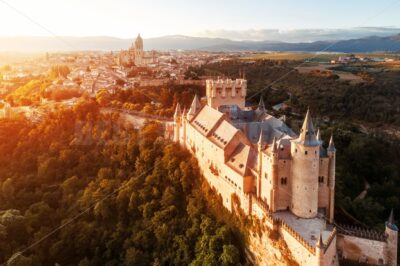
118 196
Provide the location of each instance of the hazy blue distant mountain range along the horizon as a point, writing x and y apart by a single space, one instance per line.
175 42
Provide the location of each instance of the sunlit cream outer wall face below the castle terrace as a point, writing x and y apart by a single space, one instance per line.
303 256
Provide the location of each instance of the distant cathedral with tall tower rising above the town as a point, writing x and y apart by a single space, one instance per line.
136 55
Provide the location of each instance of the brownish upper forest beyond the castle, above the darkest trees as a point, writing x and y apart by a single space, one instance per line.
376 101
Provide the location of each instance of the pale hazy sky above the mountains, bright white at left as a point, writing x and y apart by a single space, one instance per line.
125 18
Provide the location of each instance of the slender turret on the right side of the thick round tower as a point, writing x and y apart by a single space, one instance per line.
331 178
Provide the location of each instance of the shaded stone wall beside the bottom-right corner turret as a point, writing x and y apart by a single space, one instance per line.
357 248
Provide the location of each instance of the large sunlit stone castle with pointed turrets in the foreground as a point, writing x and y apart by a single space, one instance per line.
257 164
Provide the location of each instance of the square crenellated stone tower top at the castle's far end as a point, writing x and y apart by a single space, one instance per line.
226 92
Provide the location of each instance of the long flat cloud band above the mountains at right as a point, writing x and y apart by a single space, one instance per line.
299 35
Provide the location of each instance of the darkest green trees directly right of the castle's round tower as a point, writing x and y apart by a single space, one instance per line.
366 161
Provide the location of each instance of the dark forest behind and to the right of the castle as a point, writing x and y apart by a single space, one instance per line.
363 159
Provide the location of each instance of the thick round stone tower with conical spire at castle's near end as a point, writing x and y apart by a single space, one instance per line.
305 170
